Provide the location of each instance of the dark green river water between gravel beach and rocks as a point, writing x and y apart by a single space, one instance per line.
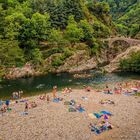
35 85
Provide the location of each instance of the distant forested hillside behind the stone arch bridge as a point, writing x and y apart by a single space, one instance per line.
126 15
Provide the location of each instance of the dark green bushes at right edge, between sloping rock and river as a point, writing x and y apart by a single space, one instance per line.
132 63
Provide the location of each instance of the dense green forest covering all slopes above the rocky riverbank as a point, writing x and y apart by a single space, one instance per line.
33 30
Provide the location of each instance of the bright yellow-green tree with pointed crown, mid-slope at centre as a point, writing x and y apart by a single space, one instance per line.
72 32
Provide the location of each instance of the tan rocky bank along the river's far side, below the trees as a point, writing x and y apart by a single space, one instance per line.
107 61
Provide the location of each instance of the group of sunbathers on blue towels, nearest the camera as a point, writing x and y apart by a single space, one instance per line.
101 127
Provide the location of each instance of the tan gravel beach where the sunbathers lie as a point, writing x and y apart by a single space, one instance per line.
52 121
